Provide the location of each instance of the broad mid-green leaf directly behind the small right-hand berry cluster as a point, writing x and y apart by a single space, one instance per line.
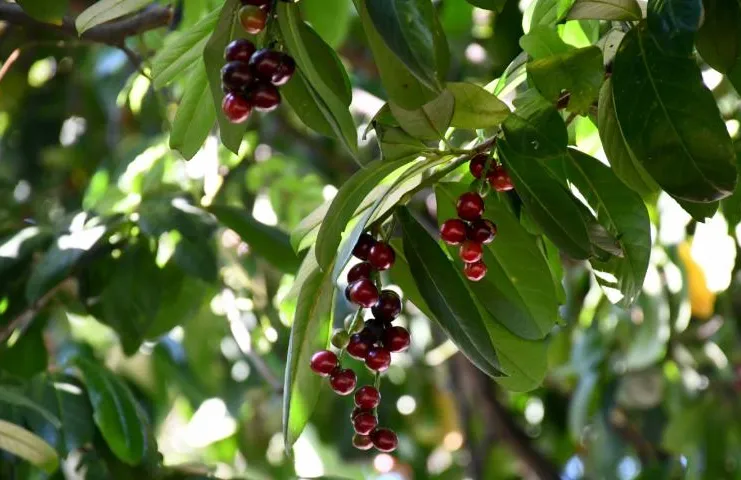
518 289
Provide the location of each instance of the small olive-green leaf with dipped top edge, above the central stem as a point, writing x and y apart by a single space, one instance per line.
430 121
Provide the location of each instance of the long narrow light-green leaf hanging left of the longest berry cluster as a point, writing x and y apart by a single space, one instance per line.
309 333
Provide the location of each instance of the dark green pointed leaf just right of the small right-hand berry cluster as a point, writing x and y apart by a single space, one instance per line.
548 202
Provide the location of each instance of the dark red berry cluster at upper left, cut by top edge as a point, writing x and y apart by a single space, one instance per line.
250 78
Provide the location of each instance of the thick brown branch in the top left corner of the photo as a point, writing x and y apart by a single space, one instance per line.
112 33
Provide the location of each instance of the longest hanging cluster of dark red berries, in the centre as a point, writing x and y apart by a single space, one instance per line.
372 341
